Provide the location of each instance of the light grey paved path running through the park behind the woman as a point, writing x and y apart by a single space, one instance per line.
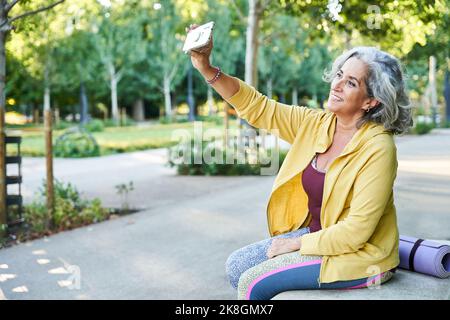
177 246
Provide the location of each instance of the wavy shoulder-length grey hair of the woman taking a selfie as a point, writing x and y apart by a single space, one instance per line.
384 82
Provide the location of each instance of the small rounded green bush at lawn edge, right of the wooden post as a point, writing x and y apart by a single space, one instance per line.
76 143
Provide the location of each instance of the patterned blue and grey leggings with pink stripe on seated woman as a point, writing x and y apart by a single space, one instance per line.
258 278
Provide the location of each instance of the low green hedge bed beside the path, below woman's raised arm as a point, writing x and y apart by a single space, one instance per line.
185 163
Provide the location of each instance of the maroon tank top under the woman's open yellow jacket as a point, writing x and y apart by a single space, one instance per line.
313 181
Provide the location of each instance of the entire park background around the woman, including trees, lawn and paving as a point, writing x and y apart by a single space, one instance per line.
93 92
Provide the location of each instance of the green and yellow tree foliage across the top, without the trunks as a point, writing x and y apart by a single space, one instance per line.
298 40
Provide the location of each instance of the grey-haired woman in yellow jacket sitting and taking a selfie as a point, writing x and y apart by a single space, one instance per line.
331 213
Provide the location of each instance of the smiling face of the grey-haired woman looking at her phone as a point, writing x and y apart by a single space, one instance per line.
348 94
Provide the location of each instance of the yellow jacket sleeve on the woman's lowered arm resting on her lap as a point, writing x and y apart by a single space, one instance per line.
372 190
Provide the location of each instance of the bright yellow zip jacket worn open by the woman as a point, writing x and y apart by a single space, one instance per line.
359 236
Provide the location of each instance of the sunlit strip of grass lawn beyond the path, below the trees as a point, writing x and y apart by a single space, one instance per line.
113 139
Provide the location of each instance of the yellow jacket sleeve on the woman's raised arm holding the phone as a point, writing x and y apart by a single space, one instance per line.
261 112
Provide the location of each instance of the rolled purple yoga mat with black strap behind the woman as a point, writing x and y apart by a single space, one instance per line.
424 256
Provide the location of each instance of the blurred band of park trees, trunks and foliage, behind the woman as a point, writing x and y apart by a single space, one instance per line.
121 59
